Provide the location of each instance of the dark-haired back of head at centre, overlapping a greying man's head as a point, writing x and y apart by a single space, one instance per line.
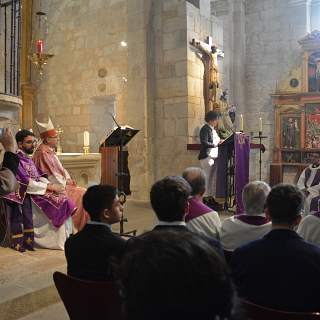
169 198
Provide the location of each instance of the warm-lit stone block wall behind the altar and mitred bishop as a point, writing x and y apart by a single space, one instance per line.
85 80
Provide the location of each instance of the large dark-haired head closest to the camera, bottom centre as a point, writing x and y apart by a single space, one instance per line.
174 275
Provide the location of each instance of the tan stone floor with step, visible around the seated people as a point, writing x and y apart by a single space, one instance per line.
27 290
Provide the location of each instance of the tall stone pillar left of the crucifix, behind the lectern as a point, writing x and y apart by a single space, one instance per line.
167 88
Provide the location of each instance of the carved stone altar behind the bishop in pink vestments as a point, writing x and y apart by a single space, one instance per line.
84 168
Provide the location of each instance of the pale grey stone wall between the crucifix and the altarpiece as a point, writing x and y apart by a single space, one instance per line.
272 29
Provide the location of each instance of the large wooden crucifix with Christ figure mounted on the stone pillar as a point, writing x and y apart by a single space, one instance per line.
211 70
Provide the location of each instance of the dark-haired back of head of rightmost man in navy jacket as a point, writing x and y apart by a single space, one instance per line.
284 203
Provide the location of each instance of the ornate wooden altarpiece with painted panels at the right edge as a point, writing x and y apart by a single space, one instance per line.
297 112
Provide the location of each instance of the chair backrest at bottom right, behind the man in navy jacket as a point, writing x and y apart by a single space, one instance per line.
256 312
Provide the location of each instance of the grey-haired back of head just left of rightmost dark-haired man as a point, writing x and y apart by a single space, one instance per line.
254 197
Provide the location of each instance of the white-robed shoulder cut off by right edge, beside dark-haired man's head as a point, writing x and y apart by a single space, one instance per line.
309 228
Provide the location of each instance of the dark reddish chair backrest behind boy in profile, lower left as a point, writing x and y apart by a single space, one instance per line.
88 299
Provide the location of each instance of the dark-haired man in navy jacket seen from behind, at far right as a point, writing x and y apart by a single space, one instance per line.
280 271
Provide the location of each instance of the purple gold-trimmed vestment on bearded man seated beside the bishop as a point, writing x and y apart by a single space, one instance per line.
56 207
